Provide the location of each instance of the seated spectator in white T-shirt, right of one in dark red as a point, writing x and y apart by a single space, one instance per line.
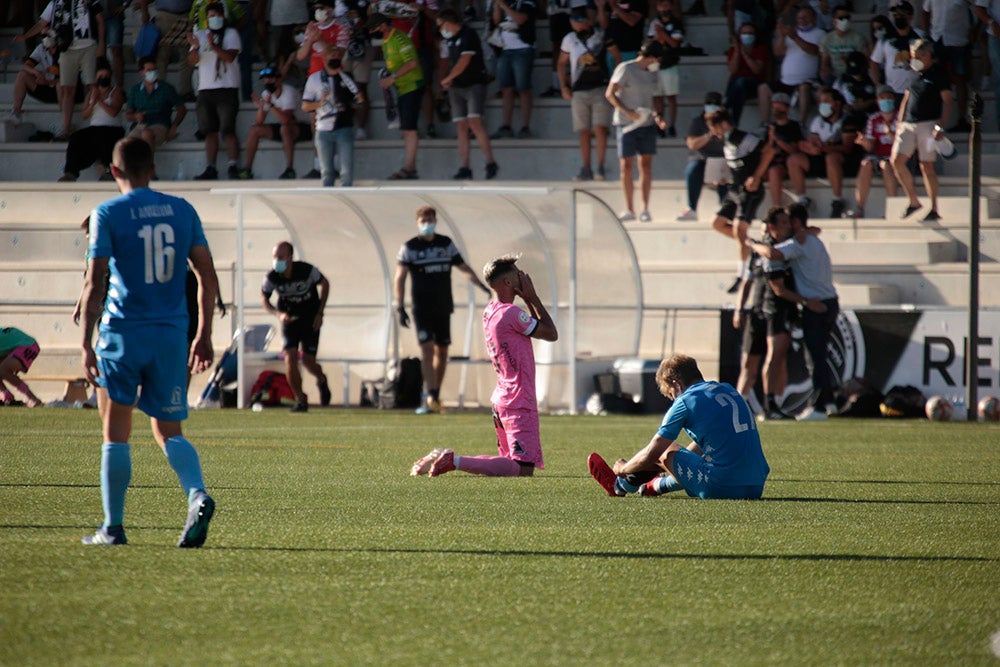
798 46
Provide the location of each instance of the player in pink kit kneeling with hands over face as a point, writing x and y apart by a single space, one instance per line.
508 331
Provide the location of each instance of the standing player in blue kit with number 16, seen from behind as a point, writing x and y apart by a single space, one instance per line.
144 239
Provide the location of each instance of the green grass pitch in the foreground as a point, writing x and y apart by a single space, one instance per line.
877 543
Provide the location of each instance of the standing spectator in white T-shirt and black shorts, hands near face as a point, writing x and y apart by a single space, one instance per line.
215 50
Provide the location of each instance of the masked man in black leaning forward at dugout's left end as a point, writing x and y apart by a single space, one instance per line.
302 293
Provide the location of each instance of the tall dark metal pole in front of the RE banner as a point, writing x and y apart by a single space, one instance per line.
975 173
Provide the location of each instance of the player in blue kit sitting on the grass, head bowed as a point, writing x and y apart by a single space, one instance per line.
724 460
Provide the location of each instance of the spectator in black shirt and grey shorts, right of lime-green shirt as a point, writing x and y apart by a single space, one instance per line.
465 82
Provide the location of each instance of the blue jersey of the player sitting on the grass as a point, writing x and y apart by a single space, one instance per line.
719 420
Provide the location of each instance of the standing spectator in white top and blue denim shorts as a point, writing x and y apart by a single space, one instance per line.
516 21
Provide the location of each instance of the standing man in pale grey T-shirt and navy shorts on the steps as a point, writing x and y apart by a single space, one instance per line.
633 85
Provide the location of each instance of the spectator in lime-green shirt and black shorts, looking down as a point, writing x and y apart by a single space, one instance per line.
403 72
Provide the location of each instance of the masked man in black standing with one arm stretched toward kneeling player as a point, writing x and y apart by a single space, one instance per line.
429 258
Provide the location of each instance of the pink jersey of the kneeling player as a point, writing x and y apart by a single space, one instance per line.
508 330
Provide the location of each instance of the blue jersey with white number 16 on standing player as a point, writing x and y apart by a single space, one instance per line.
148 235
